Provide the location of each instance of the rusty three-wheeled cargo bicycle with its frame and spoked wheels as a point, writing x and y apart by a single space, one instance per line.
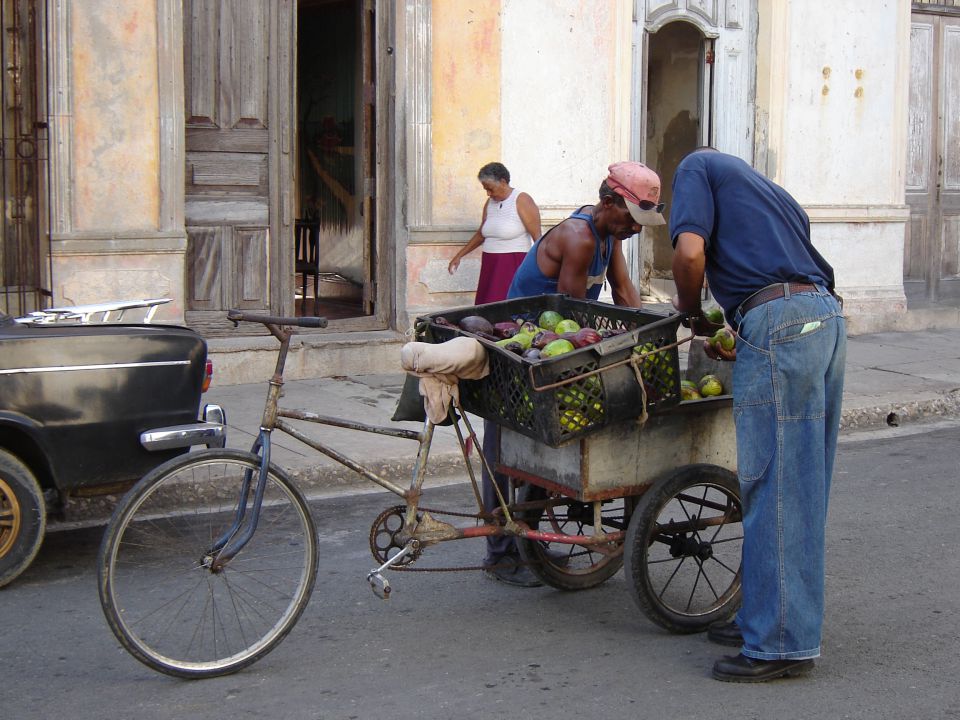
209 560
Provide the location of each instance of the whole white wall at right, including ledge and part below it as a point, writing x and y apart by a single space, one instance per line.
832 102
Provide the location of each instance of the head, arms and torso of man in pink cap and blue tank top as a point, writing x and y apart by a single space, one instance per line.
578 255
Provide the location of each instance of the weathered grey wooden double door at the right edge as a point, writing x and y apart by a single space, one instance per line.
932 247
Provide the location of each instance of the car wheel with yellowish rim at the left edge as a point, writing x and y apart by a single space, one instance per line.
23 517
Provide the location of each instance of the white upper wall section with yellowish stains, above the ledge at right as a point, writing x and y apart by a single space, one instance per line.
840 135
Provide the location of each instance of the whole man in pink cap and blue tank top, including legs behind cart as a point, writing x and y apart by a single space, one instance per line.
575 257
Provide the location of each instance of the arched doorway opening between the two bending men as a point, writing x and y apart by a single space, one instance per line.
677 120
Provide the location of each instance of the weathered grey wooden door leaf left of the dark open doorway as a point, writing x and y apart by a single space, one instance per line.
228 64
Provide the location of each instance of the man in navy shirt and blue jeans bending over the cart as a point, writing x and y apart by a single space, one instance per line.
752 240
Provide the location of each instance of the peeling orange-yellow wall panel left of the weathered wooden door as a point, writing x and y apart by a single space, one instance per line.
116 114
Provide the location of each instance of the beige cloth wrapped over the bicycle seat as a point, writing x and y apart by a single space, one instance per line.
440 367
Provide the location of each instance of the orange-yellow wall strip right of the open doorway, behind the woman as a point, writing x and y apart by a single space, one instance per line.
466 105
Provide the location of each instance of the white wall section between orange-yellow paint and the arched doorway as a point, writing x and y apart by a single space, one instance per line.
563 118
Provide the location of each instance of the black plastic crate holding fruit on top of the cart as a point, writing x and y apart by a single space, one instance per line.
509 395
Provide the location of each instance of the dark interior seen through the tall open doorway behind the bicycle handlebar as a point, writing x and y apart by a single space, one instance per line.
331 256
